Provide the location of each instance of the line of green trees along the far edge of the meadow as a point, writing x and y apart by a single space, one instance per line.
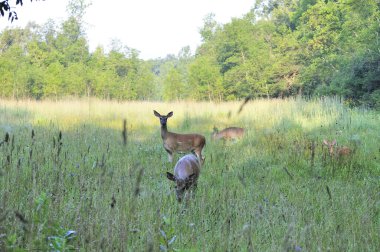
280 48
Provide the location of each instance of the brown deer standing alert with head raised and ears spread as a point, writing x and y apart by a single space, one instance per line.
174 142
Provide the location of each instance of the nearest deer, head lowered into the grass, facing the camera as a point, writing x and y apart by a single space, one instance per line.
186 173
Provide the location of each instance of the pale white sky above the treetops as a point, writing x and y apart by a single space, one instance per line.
155 28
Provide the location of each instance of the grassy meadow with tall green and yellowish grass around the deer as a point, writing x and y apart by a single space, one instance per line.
67 181
